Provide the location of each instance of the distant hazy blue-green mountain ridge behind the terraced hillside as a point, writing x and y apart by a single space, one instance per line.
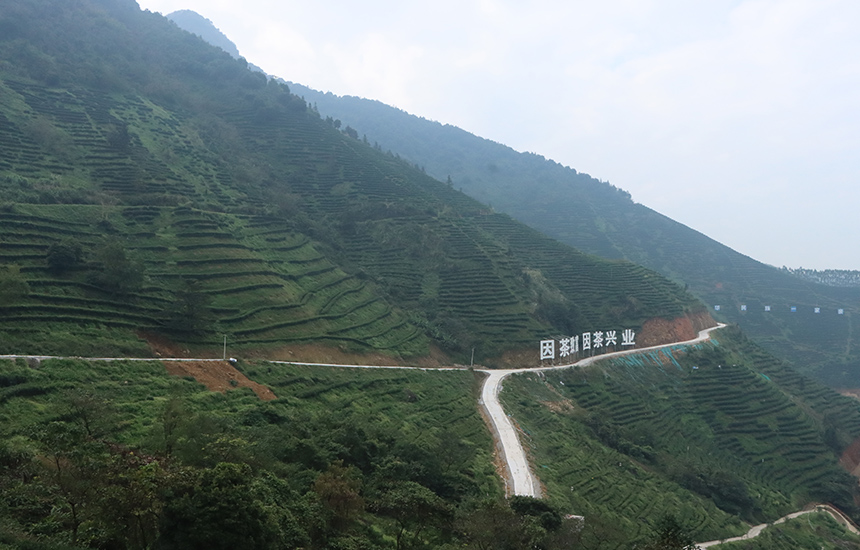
596 217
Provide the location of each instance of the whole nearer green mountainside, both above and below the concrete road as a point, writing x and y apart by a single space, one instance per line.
159 197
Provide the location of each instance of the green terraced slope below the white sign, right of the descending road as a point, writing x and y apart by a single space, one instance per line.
722 429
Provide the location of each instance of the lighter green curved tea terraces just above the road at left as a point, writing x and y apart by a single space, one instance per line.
263 283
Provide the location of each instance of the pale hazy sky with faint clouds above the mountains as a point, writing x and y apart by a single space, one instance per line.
740 119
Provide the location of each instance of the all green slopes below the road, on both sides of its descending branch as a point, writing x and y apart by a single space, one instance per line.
123 455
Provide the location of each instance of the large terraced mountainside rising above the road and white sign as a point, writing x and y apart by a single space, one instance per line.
153 185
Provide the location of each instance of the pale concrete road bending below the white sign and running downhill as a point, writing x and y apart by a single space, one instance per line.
520 480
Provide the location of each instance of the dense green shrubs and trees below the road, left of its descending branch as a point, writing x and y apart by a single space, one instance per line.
122 455
